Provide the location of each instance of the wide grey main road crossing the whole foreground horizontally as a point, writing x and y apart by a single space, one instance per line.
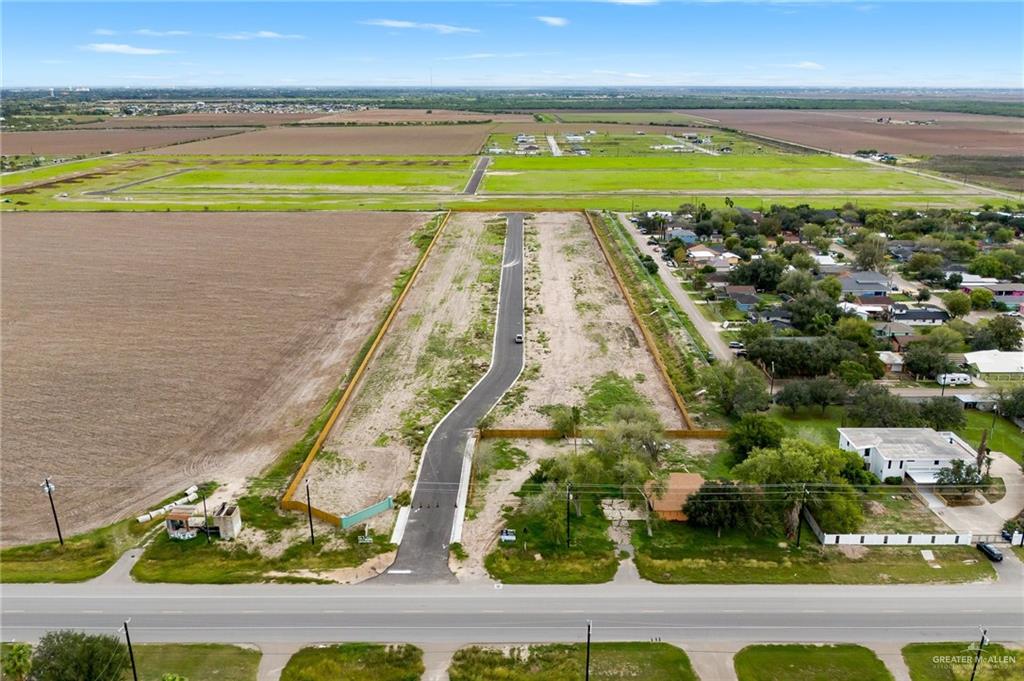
459 615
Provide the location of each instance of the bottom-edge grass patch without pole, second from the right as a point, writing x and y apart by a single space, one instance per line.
809 663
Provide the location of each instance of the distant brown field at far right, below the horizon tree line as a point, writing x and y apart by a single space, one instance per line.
848 132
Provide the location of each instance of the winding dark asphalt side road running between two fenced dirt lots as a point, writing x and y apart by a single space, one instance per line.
423 554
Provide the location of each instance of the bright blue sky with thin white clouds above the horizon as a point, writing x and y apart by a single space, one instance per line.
629 42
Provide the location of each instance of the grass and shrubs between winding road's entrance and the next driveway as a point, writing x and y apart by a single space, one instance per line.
590 561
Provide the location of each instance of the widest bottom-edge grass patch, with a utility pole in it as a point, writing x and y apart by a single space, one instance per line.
610 662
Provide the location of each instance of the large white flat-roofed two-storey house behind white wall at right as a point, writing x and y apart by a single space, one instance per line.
916 453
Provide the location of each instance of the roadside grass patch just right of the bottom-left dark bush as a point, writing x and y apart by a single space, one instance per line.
199 662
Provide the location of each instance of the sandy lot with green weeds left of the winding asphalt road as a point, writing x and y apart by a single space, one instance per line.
439 346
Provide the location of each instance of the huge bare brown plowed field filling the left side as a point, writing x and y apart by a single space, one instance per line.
145 353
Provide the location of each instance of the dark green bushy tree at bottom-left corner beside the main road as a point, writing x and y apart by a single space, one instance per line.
71 656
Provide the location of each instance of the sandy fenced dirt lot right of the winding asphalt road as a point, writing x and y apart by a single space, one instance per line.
579 327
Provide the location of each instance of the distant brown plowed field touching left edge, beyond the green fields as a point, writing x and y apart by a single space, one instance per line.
73 143
